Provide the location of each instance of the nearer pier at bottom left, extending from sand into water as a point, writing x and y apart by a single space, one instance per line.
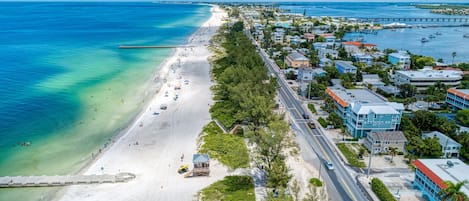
50 181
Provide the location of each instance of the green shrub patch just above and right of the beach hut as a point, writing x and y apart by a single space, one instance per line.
229 149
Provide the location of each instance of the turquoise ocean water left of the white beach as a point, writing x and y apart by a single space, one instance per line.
65 87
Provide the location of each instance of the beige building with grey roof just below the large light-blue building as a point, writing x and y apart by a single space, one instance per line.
380 142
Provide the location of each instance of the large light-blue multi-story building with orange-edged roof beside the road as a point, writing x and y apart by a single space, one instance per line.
363 111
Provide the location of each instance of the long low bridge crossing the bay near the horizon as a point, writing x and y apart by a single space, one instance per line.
413 19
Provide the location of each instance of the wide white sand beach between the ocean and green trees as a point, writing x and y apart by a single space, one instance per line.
163 138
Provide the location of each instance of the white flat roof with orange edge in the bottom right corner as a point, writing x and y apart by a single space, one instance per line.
440 170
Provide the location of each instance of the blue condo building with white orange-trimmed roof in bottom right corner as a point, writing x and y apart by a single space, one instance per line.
431 175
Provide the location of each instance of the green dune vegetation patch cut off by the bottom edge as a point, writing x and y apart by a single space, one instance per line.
231 188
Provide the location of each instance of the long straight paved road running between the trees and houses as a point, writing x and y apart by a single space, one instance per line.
340 184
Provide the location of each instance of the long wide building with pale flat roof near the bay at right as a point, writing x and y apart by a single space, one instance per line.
424 78
